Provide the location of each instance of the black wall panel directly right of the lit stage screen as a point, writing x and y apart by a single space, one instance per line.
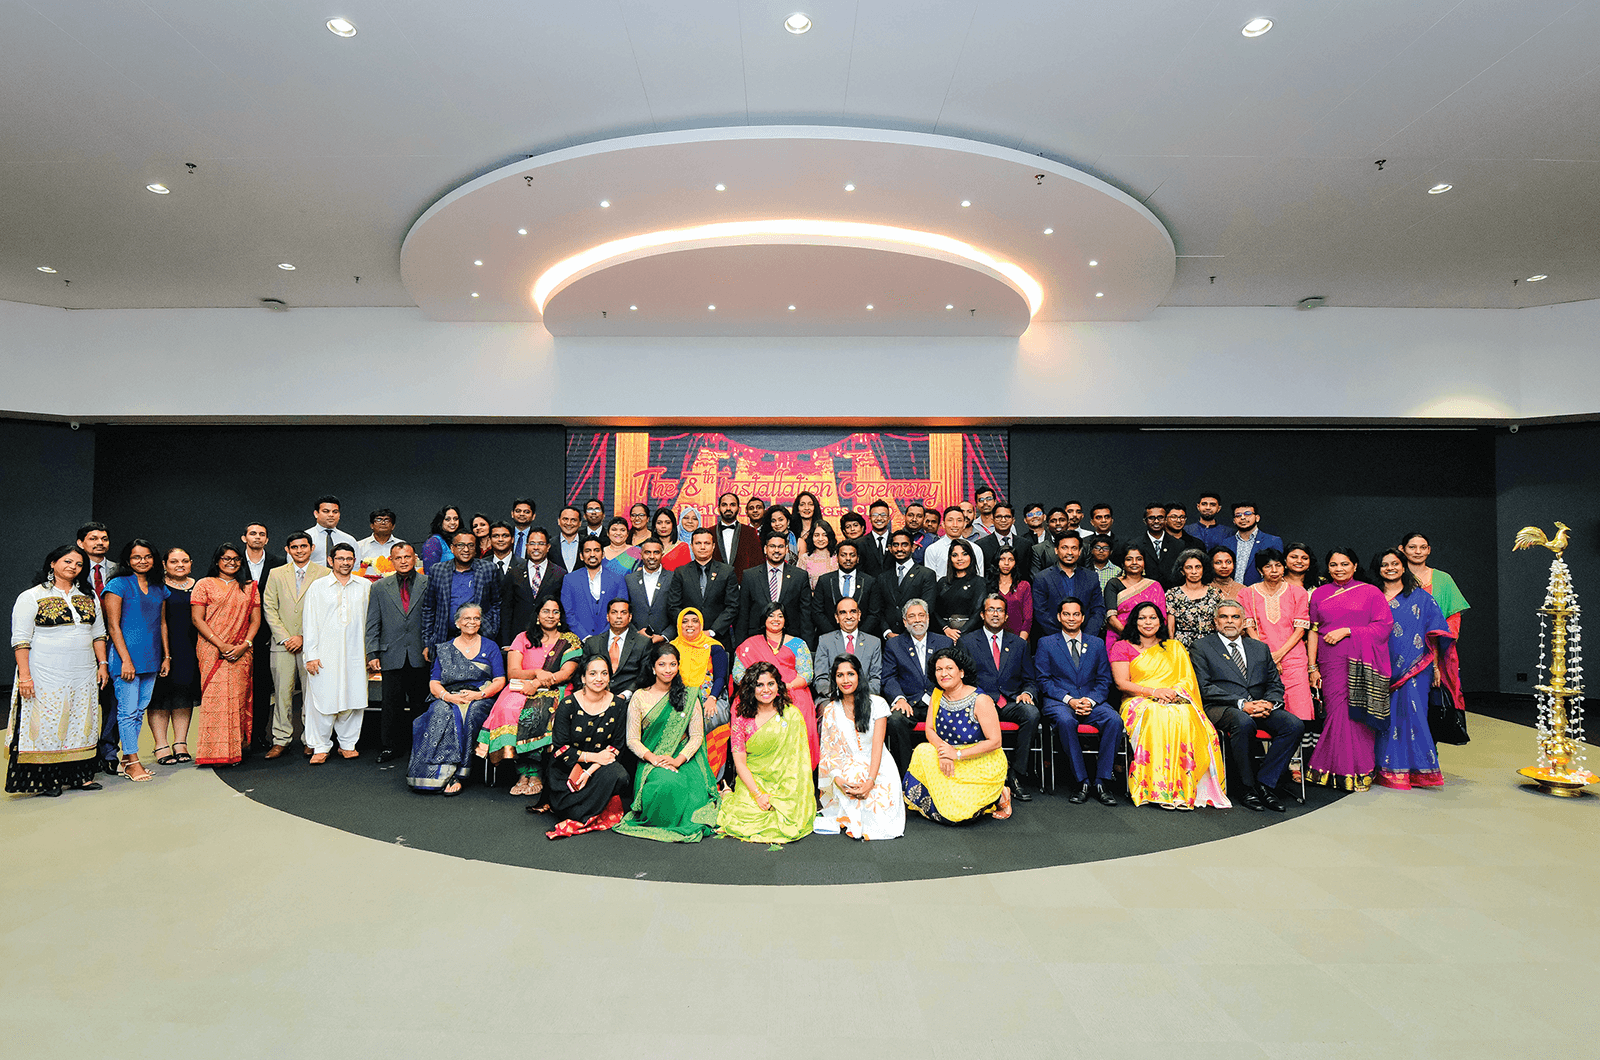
1359 489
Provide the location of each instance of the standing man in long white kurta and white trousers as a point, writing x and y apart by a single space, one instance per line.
335 630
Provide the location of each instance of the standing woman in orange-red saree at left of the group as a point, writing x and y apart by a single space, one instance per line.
226 616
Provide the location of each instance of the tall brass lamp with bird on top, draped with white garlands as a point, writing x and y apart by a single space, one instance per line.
1561 685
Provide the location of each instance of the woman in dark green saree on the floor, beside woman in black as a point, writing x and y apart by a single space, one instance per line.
674 792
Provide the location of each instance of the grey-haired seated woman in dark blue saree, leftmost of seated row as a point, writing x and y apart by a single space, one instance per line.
468 673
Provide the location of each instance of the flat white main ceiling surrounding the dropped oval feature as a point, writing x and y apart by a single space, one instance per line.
1258 156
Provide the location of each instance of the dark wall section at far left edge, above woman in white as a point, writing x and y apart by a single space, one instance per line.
47 483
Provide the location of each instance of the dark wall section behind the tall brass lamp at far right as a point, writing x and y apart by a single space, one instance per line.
1545 475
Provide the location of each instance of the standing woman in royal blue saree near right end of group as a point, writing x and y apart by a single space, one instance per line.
1407 755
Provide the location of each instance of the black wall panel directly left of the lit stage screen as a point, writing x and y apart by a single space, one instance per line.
199 486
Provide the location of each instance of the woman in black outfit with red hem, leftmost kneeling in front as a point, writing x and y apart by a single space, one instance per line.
588 781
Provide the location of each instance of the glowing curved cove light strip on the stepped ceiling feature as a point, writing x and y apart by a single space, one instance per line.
756 233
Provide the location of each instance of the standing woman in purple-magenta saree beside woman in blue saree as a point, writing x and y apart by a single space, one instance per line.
1350 662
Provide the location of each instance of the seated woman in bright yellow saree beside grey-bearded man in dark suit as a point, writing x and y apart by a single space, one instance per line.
1177 758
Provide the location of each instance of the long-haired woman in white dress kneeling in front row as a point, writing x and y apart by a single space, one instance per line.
860 797
